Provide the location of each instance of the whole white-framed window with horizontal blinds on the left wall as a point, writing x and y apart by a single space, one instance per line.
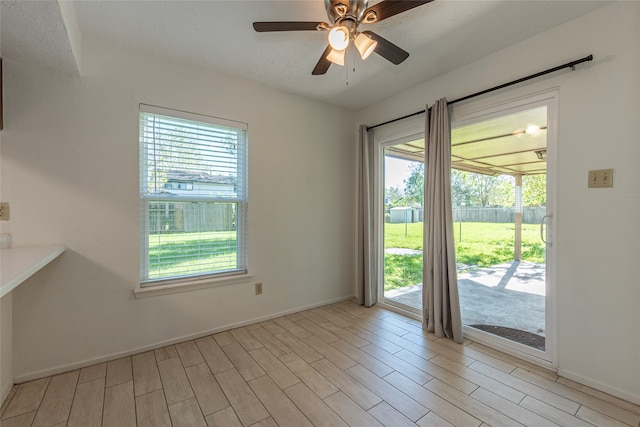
193 194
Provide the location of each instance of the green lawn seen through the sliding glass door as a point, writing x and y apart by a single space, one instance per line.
482 244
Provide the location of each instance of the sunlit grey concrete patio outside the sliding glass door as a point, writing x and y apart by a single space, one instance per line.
510 295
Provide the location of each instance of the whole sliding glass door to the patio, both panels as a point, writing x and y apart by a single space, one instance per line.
503 175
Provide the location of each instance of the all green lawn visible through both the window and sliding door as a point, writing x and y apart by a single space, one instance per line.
482 244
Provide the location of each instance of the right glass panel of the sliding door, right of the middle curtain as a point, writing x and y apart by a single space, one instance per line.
499 182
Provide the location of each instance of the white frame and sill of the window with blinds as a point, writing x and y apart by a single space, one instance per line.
196 280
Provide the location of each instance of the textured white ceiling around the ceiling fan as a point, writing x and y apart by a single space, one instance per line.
440 36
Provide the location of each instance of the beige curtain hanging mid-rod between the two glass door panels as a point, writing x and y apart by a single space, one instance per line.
440 301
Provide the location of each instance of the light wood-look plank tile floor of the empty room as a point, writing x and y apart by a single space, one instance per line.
337 365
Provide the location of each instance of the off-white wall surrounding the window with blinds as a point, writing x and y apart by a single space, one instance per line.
70 171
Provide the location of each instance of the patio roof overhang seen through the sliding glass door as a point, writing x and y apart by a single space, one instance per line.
513 144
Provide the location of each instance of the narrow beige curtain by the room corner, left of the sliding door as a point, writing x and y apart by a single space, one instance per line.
367 266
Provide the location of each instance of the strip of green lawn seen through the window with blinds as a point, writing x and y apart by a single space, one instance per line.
184 253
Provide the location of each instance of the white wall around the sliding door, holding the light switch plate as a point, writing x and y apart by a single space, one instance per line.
598 280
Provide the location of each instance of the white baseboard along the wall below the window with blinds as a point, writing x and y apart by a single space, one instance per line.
89 362
